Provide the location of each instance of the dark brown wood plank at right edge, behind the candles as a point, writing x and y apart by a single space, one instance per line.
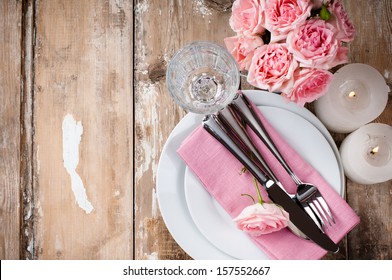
372 238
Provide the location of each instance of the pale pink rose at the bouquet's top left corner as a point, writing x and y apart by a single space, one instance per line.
247 17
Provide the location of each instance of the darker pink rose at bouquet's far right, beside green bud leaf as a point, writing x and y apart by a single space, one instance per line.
340 19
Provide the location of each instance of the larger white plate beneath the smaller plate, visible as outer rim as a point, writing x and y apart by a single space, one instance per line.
171 171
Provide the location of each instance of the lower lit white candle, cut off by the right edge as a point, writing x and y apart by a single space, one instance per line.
367 154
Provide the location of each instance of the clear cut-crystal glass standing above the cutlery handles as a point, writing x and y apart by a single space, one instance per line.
203 77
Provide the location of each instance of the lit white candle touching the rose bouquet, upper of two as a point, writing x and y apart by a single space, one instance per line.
357 95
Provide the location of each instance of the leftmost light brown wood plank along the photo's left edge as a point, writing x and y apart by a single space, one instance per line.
10 77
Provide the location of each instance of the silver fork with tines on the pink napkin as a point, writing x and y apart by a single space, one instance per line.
307 194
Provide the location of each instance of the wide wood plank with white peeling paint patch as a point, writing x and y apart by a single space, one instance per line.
83 111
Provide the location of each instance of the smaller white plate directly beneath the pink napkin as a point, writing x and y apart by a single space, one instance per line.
214 222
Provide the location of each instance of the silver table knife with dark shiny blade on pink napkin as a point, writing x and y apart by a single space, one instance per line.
297 215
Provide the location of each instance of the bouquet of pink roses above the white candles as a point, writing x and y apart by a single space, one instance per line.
288 46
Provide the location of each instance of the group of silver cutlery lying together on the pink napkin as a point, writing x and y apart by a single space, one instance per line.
308 210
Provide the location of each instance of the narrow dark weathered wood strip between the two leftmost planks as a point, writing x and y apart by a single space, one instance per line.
26 132
